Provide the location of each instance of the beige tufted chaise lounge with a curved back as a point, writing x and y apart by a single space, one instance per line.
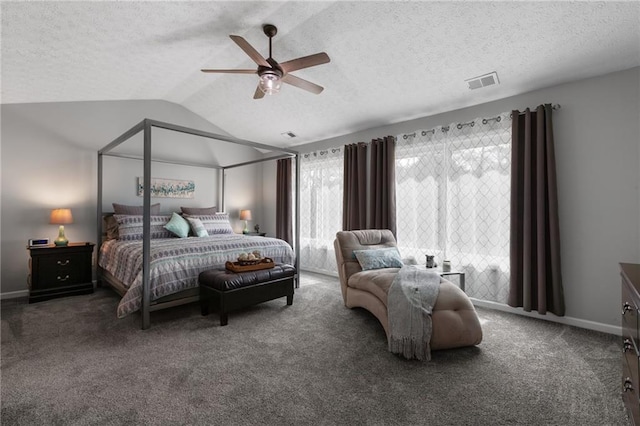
454 319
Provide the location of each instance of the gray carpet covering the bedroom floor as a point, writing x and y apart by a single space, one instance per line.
71 362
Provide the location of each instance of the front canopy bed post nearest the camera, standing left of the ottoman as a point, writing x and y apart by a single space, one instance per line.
146 228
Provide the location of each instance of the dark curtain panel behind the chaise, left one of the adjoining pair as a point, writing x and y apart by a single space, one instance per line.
354 197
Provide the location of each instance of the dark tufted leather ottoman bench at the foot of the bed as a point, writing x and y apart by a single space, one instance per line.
227 290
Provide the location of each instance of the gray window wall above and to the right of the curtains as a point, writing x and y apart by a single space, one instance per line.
597 133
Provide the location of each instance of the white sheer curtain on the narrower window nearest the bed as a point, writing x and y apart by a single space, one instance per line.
321 179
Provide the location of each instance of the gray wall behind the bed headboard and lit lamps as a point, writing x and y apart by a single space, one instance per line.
49 159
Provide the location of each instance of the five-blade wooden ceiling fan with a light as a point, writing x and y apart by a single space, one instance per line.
271 73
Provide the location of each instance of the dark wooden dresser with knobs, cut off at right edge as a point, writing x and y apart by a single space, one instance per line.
630 273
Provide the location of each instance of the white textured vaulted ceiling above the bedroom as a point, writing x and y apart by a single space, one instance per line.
390 61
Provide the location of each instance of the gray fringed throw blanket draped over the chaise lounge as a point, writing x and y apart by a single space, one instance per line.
409 304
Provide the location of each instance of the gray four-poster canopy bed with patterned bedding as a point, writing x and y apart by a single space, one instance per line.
134 267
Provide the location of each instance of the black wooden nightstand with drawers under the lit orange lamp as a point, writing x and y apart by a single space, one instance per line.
60 271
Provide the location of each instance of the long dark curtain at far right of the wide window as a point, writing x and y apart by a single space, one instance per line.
536 281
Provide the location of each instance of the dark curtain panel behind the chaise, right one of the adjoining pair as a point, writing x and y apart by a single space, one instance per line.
382 195
